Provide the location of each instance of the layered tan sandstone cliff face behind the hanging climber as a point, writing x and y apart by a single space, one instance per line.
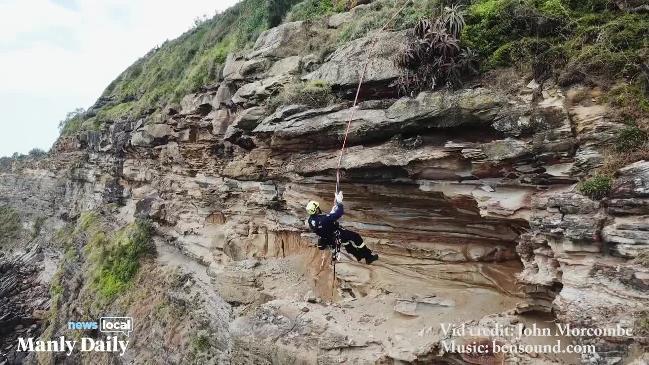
467 195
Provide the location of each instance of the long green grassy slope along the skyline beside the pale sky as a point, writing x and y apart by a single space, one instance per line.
180 66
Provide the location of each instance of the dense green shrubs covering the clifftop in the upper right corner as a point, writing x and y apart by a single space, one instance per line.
583 40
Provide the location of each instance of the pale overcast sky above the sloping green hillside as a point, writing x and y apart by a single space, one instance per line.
58 55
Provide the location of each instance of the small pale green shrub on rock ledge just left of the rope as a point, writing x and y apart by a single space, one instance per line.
314 93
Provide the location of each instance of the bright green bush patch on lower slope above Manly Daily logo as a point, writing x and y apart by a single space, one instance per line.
115 259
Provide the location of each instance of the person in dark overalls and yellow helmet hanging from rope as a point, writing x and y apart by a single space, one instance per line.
326 227
